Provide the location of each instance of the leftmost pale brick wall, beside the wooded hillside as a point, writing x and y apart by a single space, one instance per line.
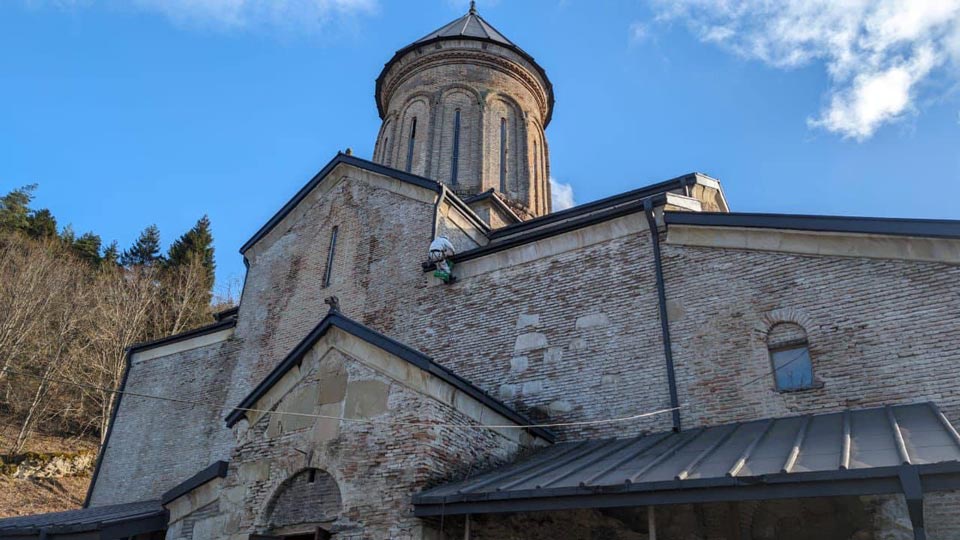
153 445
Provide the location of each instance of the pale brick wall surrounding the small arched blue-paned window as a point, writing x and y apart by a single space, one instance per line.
879 331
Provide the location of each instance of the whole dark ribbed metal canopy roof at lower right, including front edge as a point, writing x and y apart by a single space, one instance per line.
850 452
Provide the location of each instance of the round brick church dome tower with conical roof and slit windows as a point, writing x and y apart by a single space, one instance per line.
466 106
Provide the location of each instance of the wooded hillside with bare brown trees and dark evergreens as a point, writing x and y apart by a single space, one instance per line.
70 306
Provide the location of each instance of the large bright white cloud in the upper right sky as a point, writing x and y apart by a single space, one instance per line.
877 53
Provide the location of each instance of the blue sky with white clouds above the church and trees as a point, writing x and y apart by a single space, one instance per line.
150 111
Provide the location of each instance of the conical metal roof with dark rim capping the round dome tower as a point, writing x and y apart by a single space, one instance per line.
474 27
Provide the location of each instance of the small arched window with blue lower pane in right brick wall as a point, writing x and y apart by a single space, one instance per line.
790 357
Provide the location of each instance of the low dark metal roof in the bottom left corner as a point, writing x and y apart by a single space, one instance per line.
84 520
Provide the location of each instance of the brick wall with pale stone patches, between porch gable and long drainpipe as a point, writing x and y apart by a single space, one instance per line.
564 337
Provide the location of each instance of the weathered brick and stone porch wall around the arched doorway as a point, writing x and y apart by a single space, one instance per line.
377 467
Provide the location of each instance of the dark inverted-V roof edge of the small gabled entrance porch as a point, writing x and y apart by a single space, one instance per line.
335 319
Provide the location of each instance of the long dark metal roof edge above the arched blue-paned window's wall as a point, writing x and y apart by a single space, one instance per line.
935 228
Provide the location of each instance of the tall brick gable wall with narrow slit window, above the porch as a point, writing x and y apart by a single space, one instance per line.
382 239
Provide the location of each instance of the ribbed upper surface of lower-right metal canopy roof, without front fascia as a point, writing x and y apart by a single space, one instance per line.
849 442
